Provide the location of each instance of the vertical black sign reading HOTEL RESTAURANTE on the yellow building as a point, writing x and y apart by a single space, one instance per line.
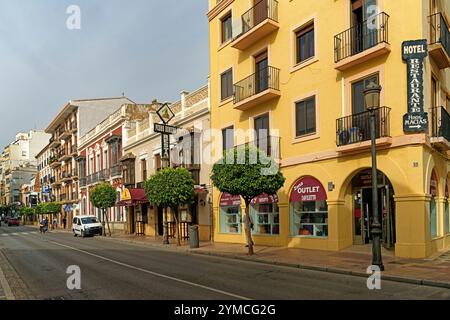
414 52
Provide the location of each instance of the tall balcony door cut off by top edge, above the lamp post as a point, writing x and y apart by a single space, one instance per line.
364 31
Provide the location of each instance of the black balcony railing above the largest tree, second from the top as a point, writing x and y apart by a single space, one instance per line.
264 79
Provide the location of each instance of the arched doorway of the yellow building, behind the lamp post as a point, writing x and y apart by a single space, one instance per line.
362 208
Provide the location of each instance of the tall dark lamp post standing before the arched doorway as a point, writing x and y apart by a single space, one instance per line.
372 100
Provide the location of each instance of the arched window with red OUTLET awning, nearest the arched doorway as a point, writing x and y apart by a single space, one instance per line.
309 209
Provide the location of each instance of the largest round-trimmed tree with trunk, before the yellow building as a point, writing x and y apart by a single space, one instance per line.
248 172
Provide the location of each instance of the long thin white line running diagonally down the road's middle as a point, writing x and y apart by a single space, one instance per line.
151 272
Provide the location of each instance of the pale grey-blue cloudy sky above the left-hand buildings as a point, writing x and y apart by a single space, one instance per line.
145 49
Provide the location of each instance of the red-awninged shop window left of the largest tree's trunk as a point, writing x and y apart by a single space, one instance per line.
230 214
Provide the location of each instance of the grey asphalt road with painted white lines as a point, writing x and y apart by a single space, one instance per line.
35 267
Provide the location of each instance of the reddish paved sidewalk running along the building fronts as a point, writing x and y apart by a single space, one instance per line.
434 271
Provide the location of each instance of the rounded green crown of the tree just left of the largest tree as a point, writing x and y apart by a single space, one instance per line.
170 188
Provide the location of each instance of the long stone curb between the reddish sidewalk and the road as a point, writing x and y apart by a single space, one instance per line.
420 282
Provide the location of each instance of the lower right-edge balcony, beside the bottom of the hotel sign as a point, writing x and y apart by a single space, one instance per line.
440 128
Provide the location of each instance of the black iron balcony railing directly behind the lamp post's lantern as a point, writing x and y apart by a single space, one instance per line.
356 128
